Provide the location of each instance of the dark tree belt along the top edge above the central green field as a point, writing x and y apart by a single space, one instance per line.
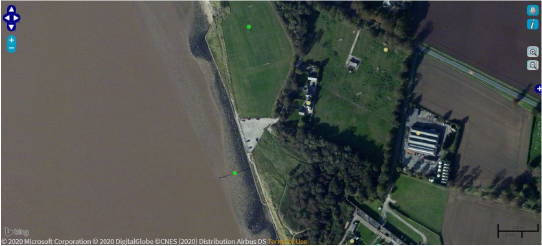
399 25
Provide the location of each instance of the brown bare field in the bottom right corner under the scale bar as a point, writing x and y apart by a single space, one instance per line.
471 220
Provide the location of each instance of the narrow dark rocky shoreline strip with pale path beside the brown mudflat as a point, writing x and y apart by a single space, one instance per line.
236 138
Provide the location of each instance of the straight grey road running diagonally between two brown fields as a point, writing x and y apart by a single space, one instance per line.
476 75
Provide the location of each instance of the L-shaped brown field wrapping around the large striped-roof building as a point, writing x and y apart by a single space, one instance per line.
496 136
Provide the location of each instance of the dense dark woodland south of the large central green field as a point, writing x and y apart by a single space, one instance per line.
319 188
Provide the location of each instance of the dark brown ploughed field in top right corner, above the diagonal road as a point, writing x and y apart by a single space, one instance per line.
490 35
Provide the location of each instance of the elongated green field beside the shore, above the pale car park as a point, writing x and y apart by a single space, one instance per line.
259 58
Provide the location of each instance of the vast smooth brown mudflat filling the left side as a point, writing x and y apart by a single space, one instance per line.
103 136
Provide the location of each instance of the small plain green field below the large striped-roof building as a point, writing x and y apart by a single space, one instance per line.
421 201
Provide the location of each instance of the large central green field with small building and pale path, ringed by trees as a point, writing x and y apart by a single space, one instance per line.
356 109
